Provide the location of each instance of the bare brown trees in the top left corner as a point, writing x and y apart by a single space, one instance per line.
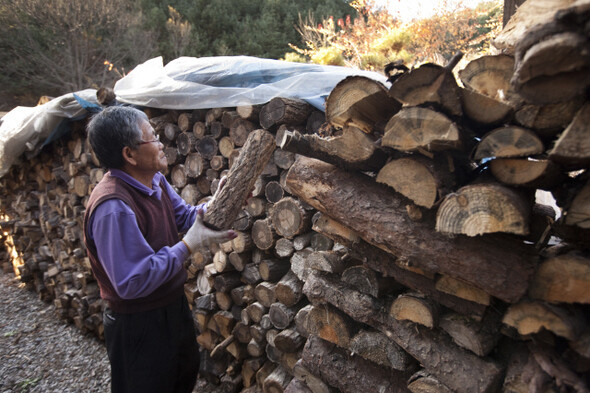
68 45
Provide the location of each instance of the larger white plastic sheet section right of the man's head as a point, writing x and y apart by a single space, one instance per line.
227 81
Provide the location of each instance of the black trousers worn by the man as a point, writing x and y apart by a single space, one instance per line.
152 351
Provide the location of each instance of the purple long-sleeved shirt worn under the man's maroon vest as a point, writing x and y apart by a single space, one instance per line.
134 268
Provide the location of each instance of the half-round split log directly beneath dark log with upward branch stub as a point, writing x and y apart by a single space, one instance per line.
415 128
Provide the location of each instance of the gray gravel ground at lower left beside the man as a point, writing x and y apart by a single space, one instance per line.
42 353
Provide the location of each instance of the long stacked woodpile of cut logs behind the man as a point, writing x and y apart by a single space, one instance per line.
392 244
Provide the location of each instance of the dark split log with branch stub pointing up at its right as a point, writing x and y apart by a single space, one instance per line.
430 83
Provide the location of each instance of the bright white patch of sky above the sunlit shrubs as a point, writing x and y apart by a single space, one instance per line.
406 10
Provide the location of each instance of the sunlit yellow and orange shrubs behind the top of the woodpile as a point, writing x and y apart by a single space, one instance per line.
375 38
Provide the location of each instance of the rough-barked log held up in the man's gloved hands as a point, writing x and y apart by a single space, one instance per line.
240 180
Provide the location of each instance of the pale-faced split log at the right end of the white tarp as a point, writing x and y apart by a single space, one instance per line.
360 102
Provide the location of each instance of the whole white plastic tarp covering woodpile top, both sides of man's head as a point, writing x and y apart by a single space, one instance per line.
184 83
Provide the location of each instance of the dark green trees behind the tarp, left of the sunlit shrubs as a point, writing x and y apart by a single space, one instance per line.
261 28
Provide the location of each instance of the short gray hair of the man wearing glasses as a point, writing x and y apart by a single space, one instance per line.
110 130
